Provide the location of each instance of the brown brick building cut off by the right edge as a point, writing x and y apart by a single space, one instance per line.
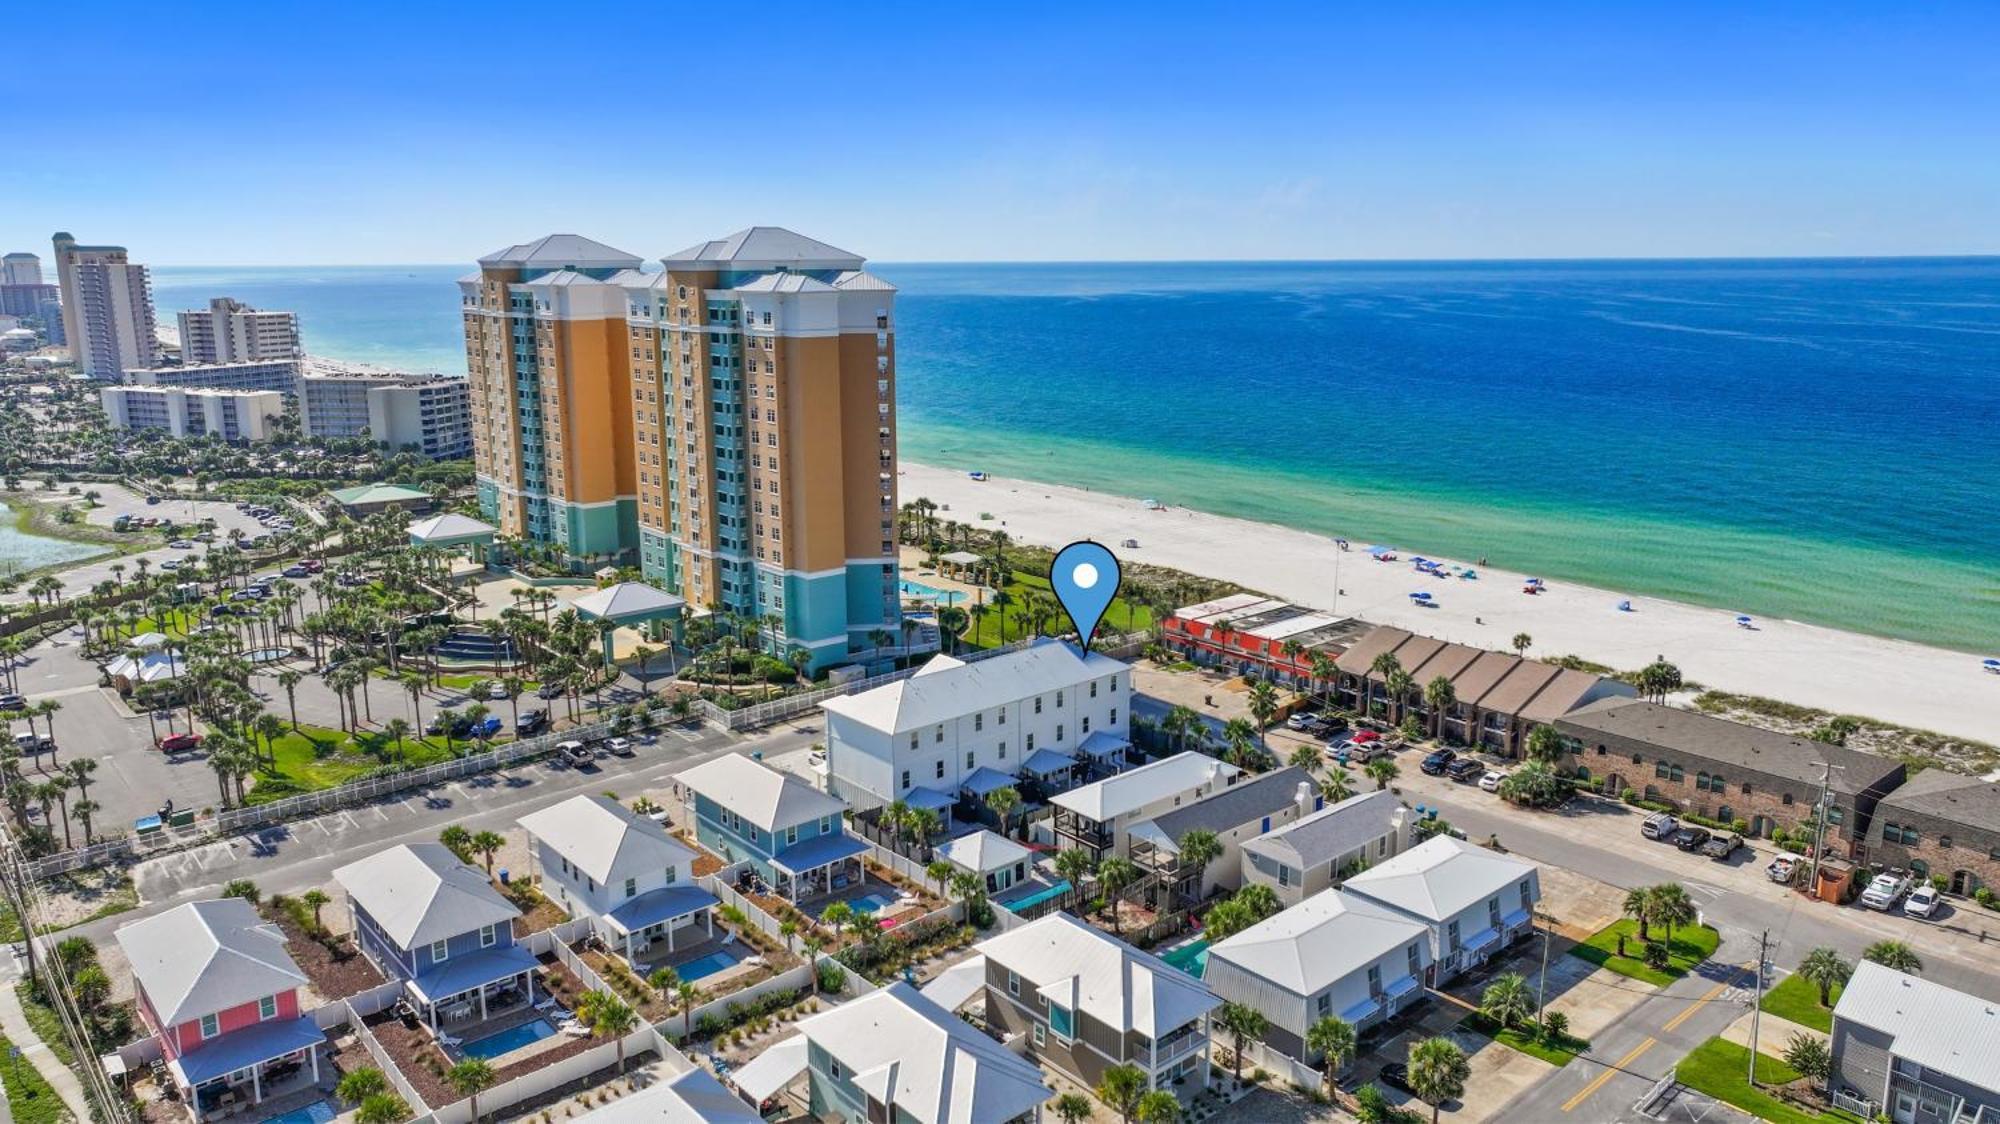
1941 823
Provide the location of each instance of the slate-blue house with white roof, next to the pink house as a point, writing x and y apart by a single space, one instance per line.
427 919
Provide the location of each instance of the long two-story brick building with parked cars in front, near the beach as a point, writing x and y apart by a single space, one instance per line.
1729 771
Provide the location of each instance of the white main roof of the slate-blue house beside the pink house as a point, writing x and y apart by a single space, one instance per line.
421 893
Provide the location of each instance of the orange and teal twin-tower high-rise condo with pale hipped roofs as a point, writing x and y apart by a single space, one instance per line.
755 467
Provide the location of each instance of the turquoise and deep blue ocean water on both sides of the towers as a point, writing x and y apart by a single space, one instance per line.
1807 439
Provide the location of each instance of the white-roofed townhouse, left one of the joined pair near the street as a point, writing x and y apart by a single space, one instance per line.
1329 957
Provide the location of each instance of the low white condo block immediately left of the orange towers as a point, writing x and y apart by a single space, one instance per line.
429 413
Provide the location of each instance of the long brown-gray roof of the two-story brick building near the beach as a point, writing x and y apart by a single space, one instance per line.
1729 743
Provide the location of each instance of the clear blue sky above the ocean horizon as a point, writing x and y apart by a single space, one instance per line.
393 133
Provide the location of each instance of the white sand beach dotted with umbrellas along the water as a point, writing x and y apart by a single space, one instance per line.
1807 665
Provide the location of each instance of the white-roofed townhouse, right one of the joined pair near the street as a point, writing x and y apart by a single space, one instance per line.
1475 901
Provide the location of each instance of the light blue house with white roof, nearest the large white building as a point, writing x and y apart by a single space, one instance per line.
783 827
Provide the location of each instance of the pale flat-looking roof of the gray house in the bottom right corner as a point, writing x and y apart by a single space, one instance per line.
1935 1027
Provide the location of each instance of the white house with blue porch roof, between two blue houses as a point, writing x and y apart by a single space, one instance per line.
601 861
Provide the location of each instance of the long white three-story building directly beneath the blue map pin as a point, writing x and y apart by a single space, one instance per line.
1039 719
